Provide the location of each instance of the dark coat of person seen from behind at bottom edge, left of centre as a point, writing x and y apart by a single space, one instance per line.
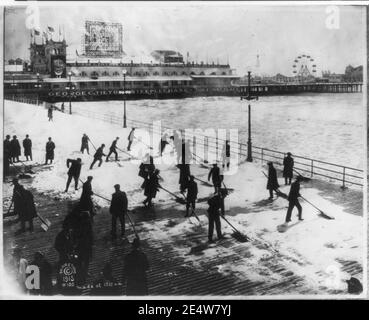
135 267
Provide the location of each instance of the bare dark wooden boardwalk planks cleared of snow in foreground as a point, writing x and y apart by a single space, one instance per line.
170 274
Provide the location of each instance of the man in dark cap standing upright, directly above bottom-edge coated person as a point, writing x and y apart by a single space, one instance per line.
118 209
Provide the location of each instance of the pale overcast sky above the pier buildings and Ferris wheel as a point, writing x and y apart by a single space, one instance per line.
211 32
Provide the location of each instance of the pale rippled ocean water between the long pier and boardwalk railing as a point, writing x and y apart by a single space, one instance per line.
328 127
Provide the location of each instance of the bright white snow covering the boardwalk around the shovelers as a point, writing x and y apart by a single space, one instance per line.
313 249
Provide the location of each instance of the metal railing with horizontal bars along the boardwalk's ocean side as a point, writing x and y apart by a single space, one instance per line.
303 165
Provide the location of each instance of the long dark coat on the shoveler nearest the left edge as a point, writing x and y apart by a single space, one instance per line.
24 205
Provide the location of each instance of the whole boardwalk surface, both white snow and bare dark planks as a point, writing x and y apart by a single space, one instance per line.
313 257
